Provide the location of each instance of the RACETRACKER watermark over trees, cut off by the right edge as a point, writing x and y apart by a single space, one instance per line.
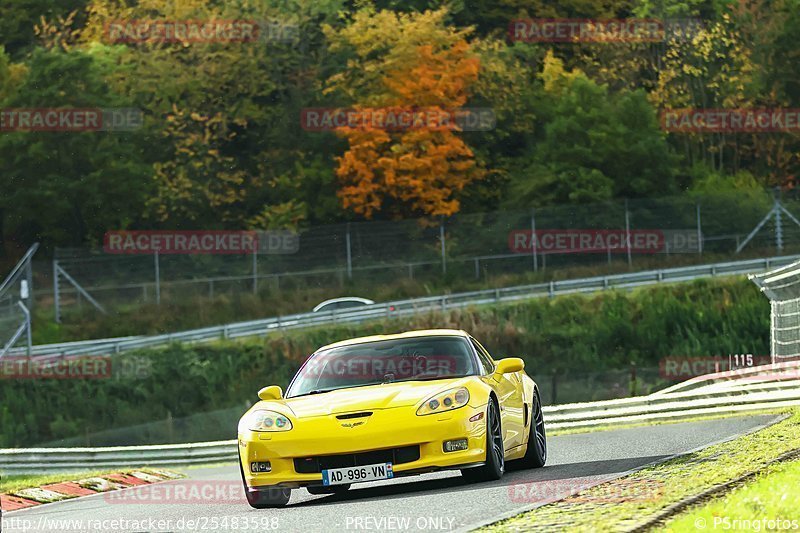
693 120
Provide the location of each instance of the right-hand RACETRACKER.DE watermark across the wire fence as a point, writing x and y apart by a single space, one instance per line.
575 241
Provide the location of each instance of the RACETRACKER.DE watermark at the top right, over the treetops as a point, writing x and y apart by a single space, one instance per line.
563 30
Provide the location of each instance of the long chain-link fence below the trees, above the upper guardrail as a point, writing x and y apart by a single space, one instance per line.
470 248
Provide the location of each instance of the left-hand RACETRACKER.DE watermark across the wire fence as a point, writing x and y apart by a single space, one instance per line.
201 242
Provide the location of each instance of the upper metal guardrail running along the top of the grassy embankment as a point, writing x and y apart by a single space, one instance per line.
411 306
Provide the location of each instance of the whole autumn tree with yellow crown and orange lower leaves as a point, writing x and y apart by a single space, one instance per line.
403 63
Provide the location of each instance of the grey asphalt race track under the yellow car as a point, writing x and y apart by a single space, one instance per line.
433 502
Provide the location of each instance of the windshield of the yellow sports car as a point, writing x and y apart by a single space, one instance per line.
372 363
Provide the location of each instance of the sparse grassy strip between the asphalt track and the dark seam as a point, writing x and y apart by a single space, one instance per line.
667 483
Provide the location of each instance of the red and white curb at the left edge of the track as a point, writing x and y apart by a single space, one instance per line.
65 490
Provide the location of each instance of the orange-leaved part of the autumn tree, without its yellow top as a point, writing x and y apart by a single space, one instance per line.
417 170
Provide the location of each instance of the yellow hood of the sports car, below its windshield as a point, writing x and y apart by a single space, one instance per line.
385 396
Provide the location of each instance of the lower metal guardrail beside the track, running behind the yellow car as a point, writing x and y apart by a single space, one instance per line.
749 396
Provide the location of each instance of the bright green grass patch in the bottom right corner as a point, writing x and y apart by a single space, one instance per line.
772 495
